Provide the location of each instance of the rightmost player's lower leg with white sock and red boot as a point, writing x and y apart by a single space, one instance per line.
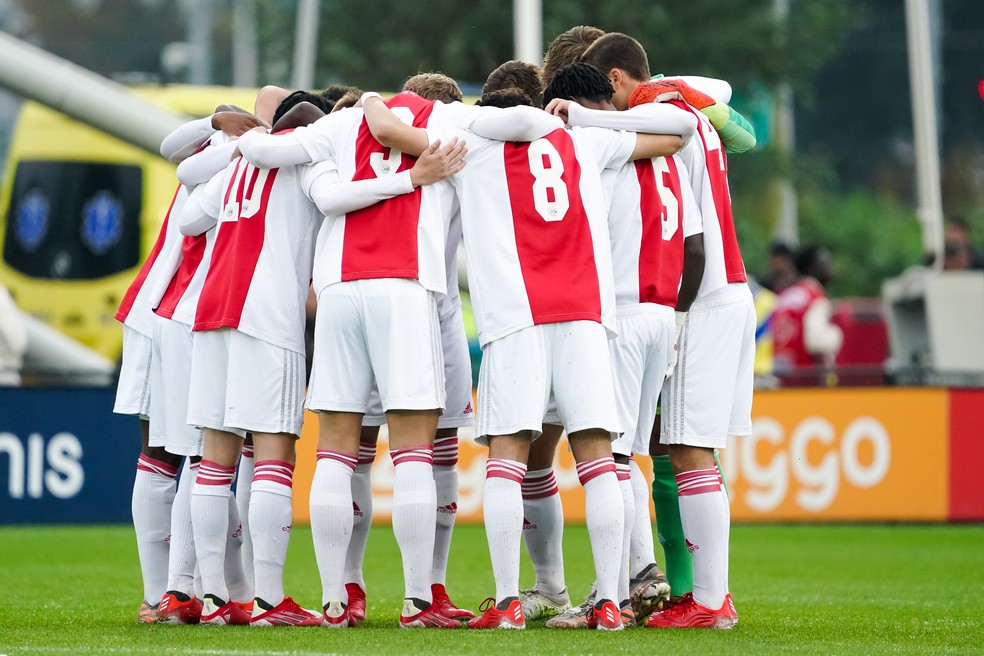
706 518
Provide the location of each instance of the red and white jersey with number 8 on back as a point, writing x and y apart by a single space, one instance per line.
534 217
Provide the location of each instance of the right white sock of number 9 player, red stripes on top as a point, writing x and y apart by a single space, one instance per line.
415 516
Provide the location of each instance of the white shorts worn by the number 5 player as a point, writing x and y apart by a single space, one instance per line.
640 355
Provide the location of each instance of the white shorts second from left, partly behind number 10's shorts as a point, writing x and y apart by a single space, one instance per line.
170 375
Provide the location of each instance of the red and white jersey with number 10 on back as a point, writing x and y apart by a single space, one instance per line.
261 261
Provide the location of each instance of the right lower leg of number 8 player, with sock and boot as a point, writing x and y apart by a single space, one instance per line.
604 514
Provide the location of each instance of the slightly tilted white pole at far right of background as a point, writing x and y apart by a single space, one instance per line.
929 204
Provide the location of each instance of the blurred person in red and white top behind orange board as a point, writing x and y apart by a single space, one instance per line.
805 340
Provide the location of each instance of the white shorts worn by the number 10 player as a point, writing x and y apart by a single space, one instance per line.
240 383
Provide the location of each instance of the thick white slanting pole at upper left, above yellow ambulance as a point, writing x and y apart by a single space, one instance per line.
83 95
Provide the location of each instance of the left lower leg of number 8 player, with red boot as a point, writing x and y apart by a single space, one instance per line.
503 509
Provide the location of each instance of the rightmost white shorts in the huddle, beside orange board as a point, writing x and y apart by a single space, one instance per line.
709 396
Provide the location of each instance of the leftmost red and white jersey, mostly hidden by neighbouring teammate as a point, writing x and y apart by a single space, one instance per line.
147 288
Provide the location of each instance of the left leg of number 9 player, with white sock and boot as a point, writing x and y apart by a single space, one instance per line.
331 508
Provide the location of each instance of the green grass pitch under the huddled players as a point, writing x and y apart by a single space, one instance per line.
798 589
